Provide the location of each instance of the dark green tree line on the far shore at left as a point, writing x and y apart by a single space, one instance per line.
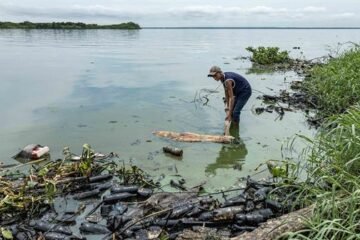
67 25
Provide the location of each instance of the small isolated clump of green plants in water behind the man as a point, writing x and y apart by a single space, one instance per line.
268 55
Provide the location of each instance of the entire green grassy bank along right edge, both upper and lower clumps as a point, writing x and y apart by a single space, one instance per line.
332 161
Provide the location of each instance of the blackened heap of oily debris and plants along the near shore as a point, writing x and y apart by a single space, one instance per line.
114 201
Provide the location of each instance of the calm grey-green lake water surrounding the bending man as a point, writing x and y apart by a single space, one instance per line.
112 88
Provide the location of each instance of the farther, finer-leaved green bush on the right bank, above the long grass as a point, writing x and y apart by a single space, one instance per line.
335 86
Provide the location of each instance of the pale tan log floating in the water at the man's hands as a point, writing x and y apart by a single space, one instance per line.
194 137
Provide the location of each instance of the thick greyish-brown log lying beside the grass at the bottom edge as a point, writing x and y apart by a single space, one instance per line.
274 228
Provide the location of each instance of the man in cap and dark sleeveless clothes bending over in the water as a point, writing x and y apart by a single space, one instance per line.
237 92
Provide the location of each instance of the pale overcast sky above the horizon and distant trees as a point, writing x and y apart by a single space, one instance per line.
177 13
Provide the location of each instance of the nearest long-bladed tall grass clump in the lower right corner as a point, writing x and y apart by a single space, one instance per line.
333 181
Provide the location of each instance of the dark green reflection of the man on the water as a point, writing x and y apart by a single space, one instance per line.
230 156
